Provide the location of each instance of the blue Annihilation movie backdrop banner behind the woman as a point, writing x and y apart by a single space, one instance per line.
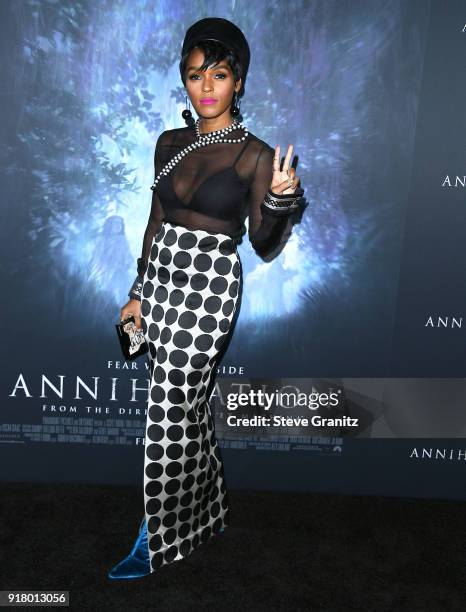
346 370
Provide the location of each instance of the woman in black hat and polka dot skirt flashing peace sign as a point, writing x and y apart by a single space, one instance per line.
209 176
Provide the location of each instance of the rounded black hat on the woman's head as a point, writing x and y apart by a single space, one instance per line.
221 30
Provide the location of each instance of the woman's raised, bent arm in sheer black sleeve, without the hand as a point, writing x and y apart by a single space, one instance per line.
267 225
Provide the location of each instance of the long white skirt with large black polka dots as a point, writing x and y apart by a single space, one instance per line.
190 294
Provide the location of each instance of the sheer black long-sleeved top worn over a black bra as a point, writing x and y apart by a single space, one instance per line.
215 188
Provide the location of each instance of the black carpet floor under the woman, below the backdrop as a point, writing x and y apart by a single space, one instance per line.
282 551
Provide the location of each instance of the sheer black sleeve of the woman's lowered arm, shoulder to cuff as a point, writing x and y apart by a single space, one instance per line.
153 225
